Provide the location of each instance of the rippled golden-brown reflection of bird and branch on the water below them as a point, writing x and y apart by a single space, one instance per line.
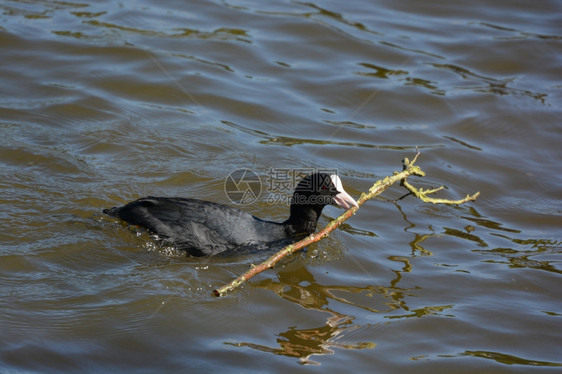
298 285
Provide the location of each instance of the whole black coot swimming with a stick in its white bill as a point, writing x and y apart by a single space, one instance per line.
204 228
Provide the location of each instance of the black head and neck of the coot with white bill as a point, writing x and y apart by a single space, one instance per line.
311 195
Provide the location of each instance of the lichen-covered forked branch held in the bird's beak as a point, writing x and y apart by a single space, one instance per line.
379 187
